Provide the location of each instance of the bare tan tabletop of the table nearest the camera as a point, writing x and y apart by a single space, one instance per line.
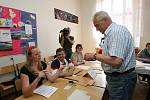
95 93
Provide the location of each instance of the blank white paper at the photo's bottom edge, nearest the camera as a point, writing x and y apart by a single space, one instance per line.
79 95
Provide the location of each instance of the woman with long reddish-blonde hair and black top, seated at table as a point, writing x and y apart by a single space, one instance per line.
33 73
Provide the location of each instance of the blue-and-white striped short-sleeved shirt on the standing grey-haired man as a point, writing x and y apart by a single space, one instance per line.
118 42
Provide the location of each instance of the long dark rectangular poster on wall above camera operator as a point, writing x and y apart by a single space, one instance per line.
65 16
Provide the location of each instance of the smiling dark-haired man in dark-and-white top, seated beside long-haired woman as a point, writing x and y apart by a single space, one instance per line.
61 61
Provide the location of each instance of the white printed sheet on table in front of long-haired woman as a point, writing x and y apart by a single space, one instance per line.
45 90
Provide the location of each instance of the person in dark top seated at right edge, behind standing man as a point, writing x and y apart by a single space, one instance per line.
144 55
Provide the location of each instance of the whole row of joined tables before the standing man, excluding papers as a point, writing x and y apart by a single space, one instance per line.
95 92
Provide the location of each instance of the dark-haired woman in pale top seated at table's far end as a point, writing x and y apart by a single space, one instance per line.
77 56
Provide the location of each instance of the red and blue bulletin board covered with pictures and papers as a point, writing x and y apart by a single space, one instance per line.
18 30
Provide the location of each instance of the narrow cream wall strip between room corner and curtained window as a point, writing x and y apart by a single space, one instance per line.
88 9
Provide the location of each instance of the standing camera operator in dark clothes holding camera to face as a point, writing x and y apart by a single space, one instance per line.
66 41
